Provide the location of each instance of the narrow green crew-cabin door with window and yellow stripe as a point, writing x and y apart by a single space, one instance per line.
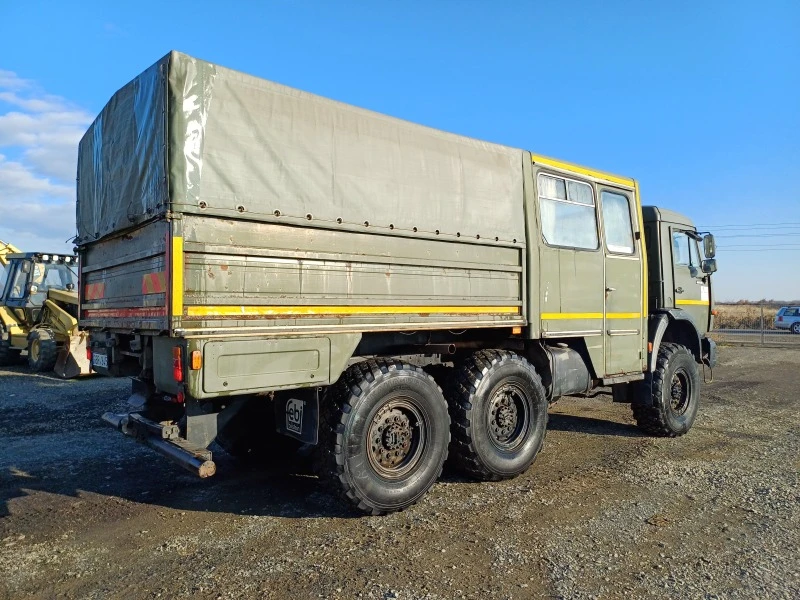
624 321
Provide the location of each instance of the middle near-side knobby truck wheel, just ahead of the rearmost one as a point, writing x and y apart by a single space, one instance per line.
498 414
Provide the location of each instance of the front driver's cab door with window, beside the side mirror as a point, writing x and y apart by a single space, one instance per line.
691 285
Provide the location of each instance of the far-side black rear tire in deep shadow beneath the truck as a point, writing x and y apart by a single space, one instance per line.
250 436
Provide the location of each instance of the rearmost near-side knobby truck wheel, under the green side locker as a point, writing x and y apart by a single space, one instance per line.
353 452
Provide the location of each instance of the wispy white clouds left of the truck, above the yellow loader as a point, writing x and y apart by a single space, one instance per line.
39 135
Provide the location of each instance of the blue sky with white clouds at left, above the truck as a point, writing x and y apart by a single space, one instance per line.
700 101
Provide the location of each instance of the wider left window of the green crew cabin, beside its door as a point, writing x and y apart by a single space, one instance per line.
567 213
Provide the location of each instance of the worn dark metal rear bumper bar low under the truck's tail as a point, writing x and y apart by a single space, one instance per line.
194 460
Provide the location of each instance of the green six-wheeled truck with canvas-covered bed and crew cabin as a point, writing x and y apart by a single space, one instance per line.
270 267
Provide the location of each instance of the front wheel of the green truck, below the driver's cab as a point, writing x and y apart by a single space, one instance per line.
674 388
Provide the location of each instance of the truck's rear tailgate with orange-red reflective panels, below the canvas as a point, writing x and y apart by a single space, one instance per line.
124 280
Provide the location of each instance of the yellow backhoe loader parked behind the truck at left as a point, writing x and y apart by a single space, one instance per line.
39 312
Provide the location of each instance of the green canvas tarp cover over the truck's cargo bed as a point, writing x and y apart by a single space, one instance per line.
189 136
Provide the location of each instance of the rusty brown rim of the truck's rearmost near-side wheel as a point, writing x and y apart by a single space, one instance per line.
396 438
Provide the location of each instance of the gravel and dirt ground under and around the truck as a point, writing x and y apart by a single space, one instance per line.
604 512
